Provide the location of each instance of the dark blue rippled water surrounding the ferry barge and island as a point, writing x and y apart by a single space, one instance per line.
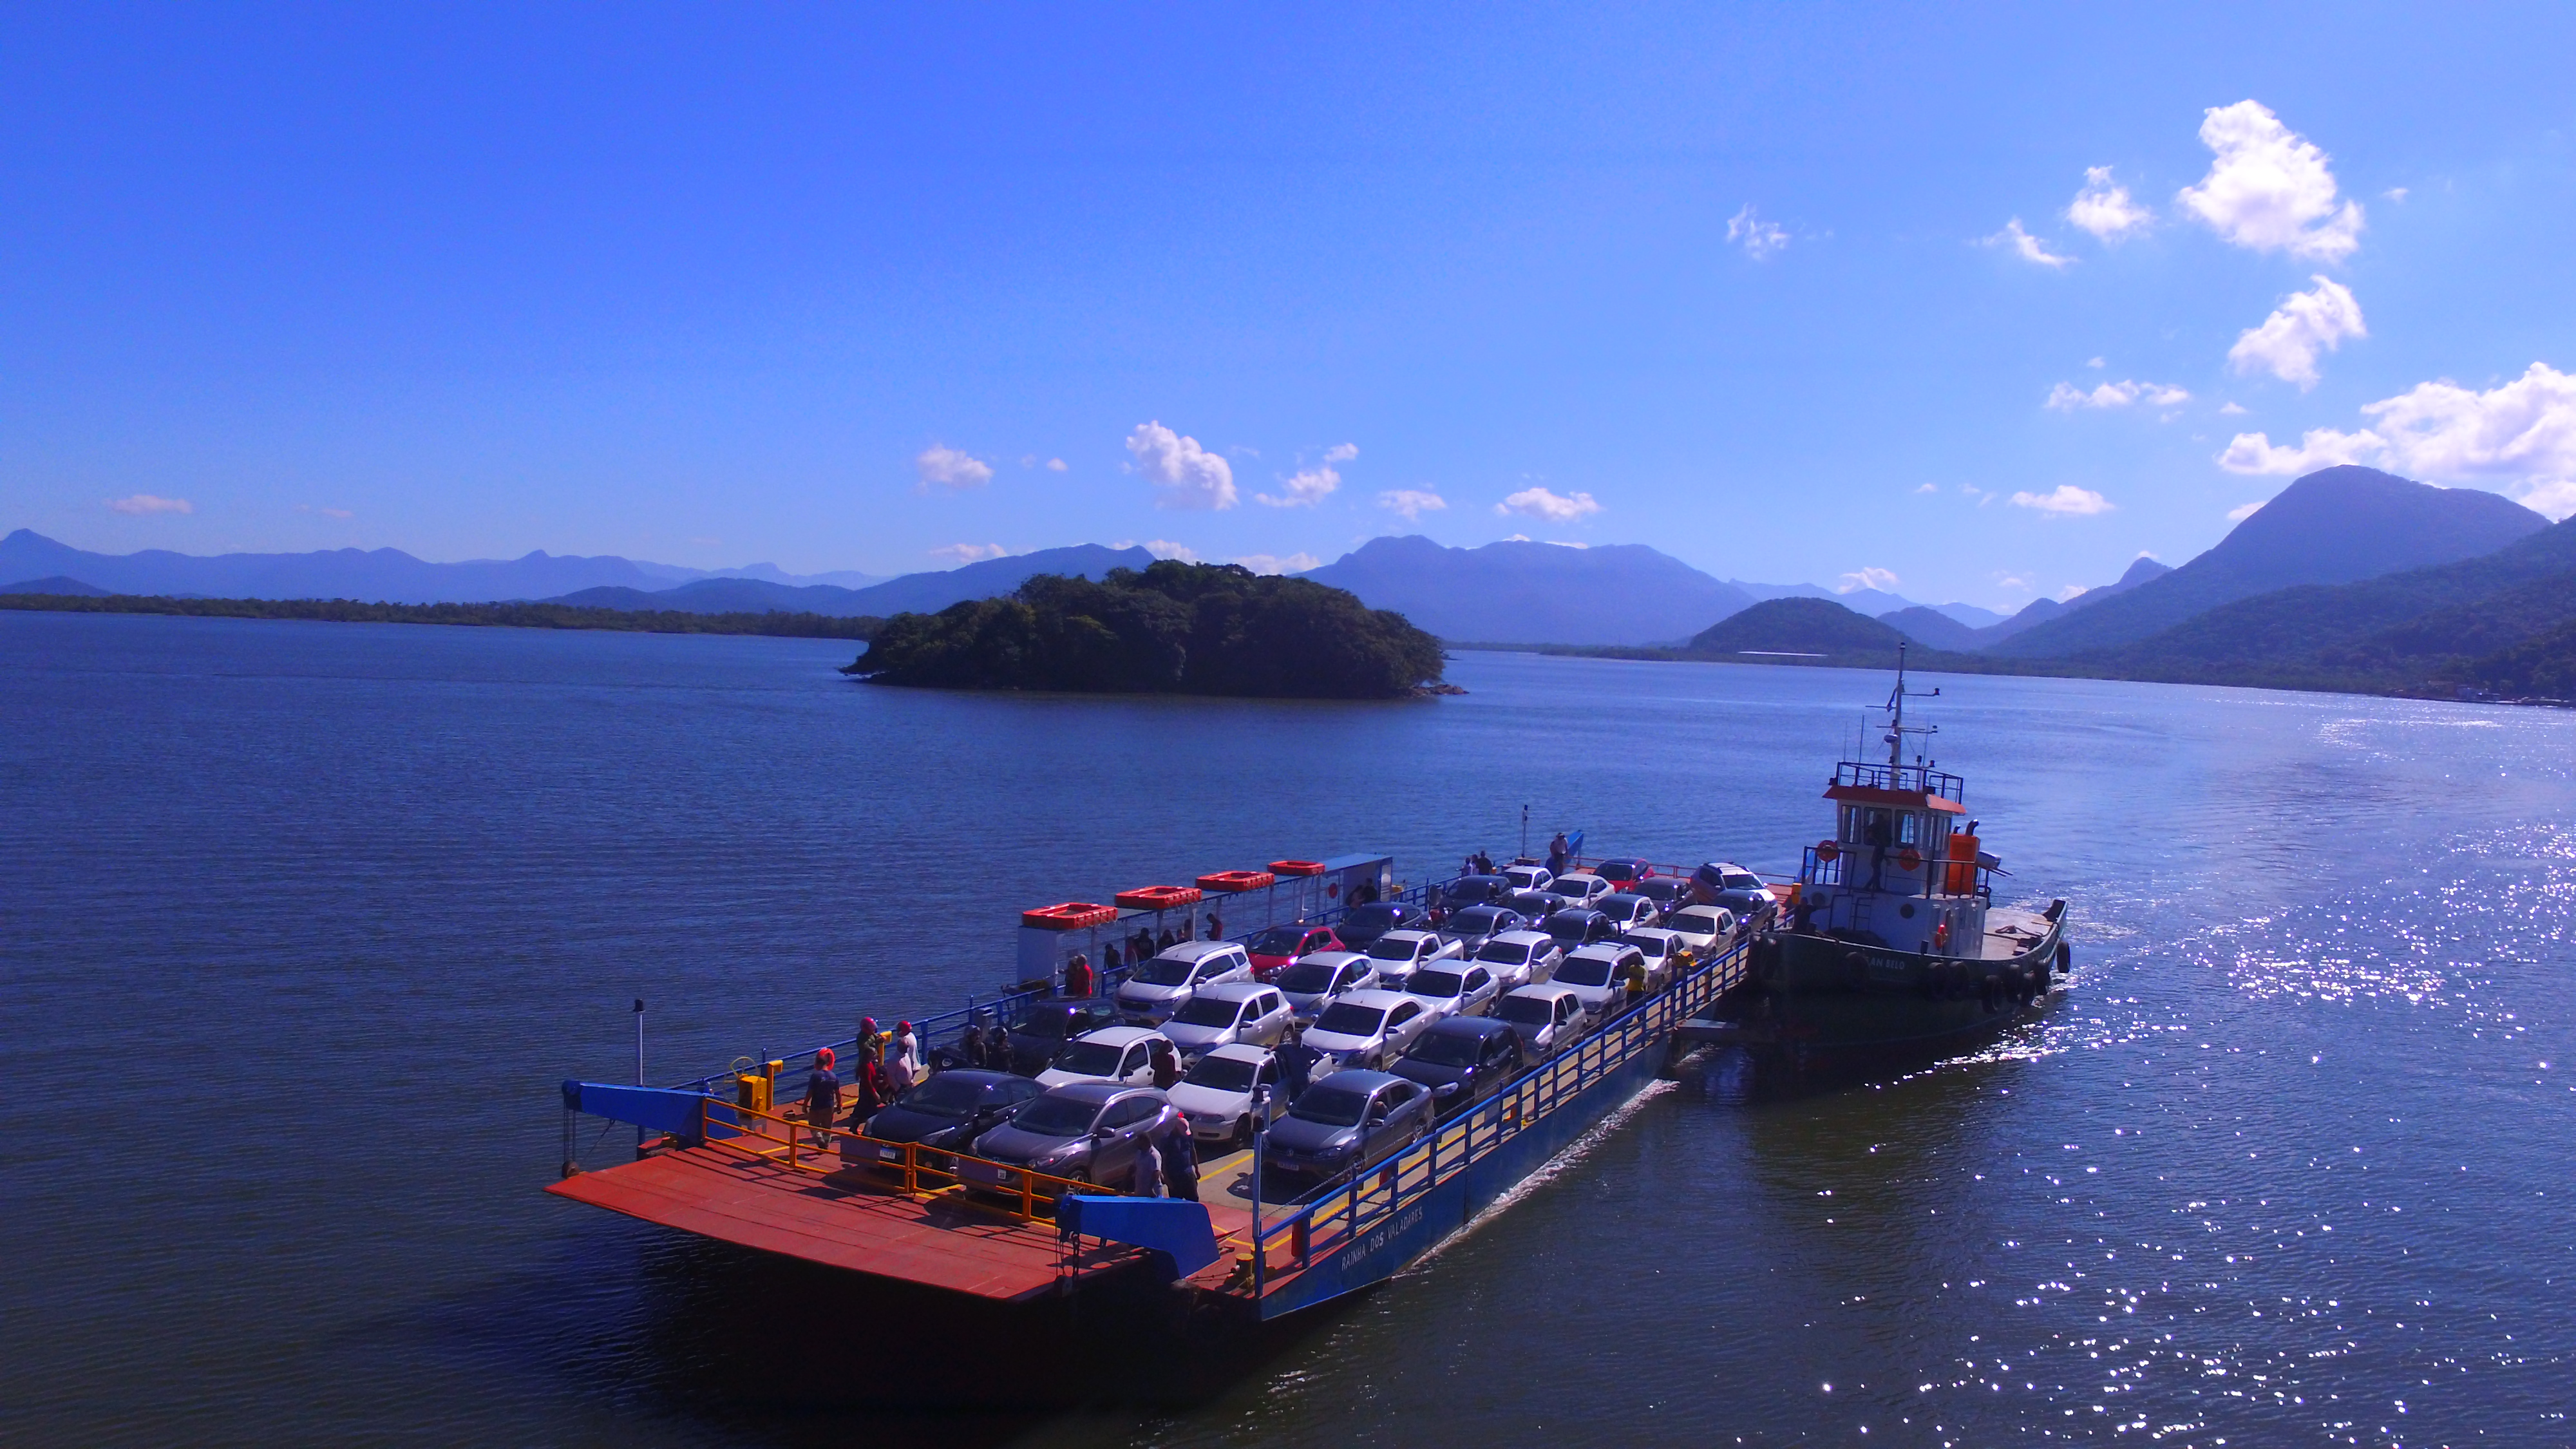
305 922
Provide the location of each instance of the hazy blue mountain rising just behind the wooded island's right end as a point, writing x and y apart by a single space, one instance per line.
1534 594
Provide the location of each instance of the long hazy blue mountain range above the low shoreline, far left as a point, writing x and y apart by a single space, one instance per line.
390 576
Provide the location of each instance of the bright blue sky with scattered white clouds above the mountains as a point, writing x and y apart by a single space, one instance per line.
1779 290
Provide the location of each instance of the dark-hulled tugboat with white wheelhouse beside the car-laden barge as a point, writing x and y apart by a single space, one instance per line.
1895 948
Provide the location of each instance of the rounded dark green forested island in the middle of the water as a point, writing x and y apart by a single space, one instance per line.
1163 630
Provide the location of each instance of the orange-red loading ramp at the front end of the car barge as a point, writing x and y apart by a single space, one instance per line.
851 1221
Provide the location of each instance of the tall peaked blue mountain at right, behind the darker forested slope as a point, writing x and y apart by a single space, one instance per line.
2338 525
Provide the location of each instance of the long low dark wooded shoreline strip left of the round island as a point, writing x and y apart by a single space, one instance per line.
475 615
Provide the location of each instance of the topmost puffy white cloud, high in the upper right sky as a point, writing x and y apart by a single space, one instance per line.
2271 190
